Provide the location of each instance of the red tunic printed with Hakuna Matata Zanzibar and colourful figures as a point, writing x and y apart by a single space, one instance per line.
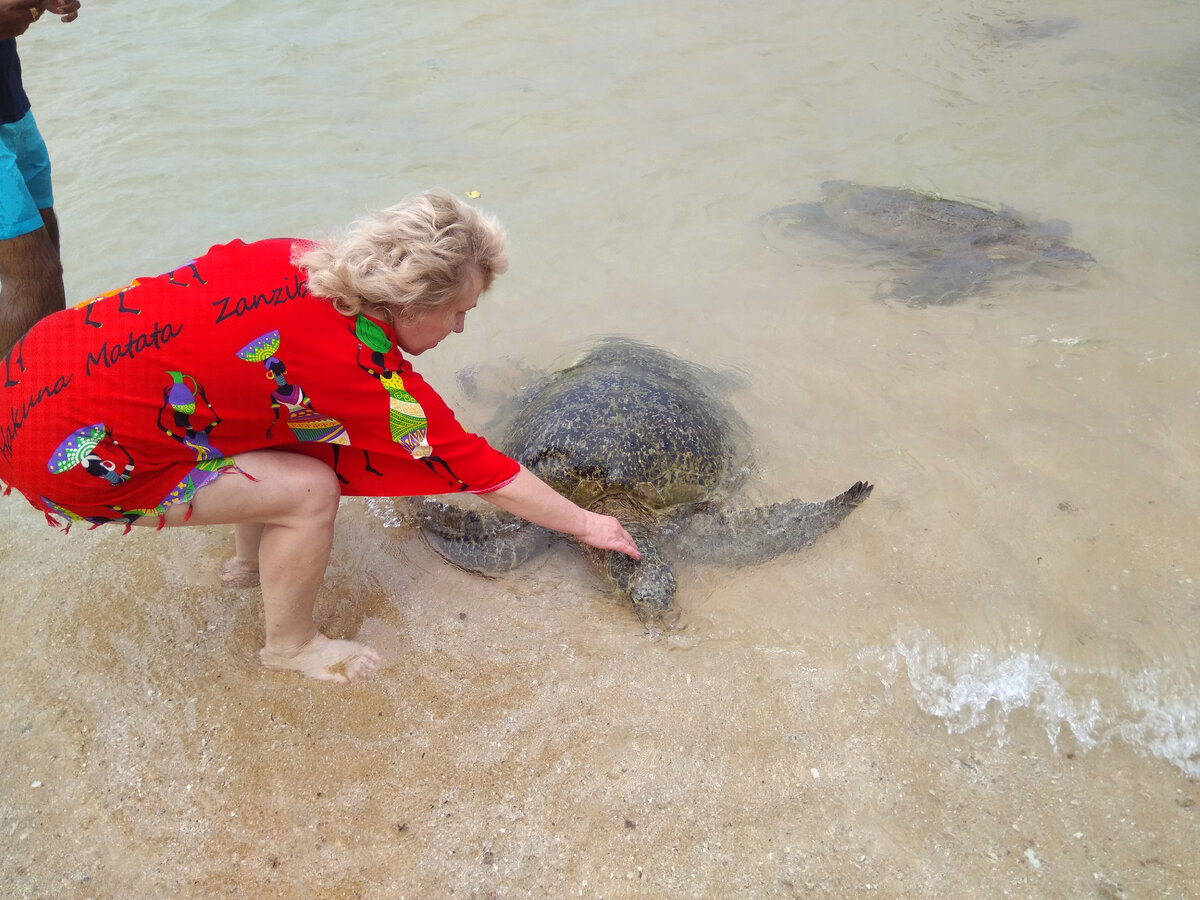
136 399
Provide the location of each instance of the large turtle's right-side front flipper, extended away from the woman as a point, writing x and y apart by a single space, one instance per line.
754 536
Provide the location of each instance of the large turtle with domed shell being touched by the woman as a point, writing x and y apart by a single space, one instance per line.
634 433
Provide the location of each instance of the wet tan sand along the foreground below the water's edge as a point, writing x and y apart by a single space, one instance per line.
523 741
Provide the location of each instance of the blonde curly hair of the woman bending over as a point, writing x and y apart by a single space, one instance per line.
415 257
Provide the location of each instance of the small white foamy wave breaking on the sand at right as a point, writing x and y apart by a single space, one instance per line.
1156 712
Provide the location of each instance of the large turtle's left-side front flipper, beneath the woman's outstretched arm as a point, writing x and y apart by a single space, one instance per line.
477 542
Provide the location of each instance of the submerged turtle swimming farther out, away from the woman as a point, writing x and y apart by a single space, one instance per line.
953 249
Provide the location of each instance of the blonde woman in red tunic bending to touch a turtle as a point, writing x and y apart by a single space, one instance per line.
259 383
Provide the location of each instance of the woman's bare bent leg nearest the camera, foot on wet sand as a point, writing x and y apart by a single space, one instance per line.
289 507
